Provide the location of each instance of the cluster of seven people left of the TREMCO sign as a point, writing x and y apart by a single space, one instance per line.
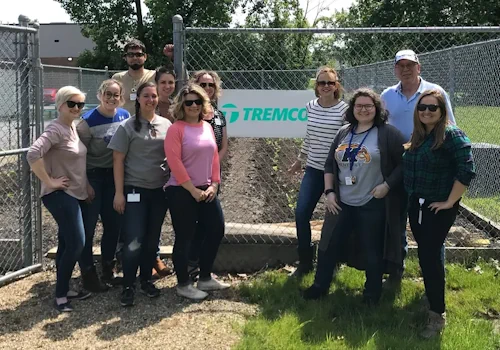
129 166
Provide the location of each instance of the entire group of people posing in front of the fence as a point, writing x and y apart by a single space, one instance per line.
377 159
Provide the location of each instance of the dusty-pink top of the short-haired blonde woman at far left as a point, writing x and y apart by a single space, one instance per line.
63 155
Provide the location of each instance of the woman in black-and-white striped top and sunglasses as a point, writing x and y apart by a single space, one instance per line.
325 116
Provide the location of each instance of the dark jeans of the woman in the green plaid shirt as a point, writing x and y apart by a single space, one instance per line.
430 235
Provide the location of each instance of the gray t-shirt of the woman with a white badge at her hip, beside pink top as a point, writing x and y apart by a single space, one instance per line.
144 151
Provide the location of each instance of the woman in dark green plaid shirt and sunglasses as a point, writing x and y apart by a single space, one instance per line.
438 167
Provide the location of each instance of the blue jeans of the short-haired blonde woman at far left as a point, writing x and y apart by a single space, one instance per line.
71 236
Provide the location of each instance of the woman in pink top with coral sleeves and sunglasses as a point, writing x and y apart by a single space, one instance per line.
193 160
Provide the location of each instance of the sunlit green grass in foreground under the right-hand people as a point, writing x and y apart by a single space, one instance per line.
341 322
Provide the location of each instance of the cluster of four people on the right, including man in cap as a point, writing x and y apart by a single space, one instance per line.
380 160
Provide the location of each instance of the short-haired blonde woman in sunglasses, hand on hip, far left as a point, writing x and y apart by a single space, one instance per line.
57 158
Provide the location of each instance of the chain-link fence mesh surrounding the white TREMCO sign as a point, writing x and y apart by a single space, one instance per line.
256 186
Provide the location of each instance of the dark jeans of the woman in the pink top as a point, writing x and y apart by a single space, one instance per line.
187 216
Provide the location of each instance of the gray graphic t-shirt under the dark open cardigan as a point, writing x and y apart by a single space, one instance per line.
366 168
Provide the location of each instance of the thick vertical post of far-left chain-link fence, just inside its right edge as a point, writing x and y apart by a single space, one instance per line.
24 98
